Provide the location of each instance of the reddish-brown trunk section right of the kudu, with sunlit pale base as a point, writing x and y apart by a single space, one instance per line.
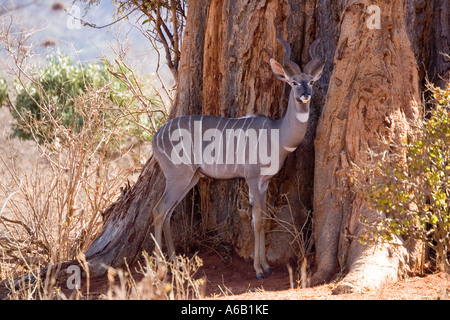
373 95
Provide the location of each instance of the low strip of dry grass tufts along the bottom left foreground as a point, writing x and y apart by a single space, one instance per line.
141 283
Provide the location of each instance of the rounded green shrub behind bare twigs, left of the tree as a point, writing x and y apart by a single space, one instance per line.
56 102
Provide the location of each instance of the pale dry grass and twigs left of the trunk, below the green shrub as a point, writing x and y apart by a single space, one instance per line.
52 194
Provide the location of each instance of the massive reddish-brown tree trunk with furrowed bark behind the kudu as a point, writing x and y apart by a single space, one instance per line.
370 79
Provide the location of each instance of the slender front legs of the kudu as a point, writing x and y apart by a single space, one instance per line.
257 200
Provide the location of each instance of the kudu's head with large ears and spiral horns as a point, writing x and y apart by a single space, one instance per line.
300 82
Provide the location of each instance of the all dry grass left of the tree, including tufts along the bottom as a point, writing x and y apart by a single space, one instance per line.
52 195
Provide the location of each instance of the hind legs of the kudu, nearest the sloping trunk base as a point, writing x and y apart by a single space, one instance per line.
176 189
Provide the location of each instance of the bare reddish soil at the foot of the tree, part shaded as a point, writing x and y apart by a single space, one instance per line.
235 279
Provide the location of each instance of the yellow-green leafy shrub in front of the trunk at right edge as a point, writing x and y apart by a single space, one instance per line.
412 194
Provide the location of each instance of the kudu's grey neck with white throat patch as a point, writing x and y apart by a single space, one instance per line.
294 123
